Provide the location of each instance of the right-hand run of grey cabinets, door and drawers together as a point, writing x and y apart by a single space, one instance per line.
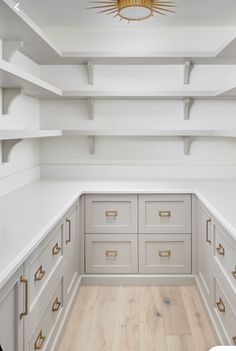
217 274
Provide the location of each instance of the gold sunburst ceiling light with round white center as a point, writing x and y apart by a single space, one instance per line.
133 10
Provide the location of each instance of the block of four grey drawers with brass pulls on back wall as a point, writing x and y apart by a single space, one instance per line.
138 234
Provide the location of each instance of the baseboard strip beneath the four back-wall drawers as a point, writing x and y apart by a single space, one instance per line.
138 279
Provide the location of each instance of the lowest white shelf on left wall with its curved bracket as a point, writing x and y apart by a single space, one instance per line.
10 138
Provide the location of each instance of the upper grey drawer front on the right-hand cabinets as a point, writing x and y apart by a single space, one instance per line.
225 255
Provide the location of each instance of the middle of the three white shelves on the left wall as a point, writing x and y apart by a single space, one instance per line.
14 77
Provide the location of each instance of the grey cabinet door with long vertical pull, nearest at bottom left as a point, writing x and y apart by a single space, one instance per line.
11 306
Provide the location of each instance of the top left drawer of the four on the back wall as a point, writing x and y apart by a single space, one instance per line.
111 214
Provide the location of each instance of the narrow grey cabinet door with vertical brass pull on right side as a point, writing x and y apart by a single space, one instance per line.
205 252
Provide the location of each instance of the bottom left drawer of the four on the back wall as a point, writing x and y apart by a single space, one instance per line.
111 254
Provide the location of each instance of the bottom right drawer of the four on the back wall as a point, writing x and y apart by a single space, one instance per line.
165 253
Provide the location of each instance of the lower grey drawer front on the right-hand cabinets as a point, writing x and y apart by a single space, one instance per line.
224 312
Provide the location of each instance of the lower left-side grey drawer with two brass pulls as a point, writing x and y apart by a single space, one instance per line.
41 335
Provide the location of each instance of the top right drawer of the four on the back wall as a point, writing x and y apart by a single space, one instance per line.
165 214
